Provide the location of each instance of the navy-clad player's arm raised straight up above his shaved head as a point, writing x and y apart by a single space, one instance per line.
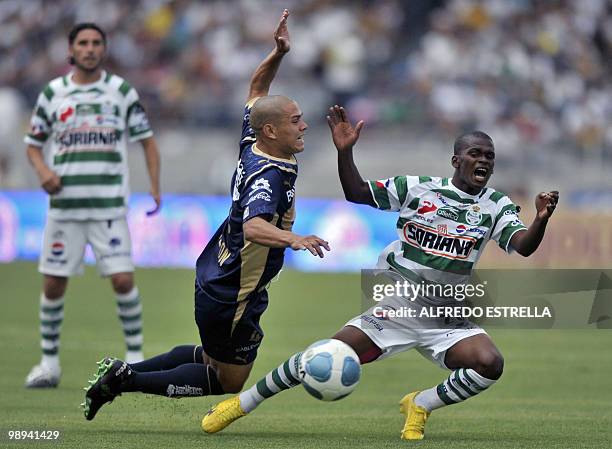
266 71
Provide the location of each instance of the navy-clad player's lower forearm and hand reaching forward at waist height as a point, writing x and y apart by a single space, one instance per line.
258 230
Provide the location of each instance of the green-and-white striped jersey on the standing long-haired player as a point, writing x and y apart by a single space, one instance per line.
84 129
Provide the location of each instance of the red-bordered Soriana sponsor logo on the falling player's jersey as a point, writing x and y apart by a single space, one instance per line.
432 241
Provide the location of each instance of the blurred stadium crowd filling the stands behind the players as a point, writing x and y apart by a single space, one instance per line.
530 72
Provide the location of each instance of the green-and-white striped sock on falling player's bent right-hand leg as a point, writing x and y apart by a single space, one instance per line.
462 384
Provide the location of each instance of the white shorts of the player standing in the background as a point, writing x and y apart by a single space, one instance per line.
64 245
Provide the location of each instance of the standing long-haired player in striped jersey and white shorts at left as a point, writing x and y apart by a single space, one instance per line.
83 120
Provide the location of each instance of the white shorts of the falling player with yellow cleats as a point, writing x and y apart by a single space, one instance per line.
394 335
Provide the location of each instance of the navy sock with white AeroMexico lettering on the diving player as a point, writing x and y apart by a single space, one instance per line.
189 379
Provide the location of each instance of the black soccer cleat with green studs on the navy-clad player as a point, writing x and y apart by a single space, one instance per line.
105 386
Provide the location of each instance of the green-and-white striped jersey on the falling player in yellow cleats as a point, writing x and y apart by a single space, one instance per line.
442 230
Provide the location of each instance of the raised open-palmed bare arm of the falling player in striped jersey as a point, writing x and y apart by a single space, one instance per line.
345 136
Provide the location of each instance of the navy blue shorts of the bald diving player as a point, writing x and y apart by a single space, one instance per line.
224 340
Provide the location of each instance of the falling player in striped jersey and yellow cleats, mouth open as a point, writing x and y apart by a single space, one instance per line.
440 210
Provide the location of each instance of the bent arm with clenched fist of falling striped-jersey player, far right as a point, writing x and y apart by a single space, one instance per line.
526 242
